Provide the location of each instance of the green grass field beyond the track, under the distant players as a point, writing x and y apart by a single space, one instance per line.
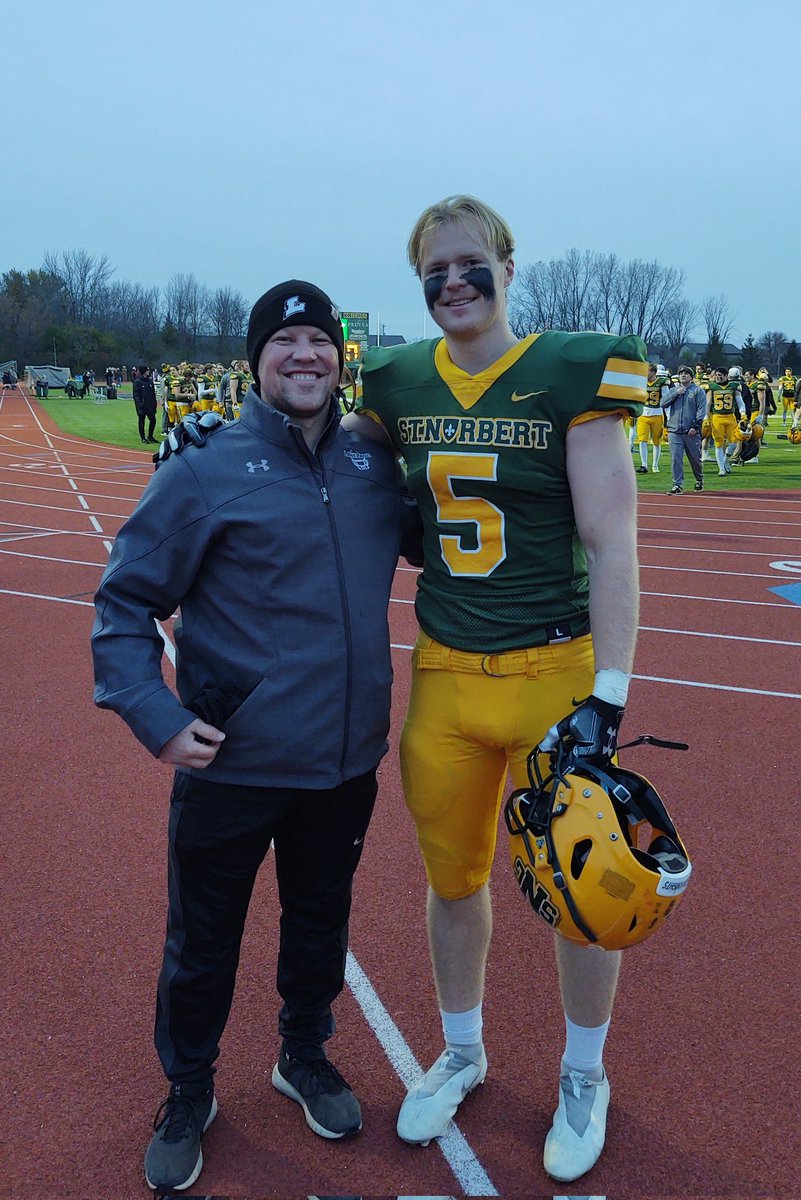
116 423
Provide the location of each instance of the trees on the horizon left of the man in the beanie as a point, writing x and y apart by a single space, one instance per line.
71 310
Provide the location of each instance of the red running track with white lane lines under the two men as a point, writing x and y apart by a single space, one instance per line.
706 1031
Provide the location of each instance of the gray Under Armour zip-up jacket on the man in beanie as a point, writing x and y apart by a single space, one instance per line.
281 561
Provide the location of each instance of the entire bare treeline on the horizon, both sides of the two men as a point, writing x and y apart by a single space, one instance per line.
73 311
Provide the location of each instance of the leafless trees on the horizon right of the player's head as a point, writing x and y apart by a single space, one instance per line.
588 291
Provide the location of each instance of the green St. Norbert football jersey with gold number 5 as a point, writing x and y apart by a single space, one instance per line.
504 567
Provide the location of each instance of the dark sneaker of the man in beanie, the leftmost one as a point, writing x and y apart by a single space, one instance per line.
174 1159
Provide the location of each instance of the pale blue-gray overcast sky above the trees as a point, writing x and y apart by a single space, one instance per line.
250 142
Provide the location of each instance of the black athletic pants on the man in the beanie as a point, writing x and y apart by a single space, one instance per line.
219 837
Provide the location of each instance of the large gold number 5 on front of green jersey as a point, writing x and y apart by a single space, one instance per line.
491 543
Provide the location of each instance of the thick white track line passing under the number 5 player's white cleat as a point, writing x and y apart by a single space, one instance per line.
468 1171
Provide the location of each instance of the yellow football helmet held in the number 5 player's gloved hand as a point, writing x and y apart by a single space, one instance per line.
575 848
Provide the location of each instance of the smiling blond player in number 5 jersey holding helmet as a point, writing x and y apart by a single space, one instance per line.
522 472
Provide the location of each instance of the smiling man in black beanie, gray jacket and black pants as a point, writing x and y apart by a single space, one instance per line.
280 551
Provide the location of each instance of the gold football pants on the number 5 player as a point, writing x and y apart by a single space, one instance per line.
473 717
